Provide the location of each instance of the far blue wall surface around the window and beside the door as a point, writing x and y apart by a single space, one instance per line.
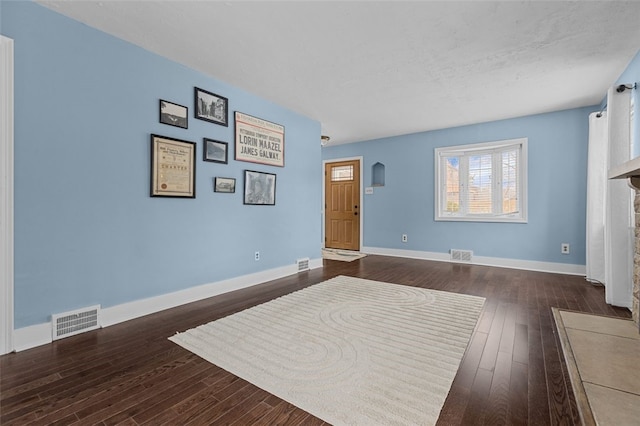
556 197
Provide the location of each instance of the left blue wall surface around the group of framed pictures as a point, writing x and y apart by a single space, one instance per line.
86 230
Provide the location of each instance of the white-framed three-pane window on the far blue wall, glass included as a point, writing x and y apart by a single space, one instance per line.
482 182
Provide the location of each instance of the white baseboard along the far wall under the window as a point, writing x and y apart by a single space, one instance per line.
529 265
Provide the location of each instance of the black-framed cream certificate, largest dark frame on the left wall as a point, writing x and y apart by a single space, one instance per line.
173 167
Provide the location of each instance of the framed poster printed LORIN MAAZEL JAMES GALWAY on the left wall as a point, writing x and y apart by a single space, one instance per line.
259 141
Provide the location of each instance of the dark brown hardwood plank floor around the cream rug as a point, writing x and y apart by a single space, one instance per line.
130 374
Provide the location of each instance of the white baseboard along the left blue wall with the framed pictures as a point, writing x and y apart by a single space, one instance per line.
40 334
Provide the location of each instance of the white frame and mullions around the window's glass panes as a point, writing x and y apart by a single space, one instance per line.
474 149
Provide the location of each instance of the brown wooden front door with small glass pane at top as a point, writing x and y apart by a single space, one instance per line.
342 205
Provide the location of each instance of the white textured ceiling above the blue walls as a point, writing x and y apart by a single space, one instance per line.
368 70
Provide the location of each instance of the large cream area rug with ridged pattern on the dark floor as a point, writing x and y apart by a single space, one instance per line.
349 351
